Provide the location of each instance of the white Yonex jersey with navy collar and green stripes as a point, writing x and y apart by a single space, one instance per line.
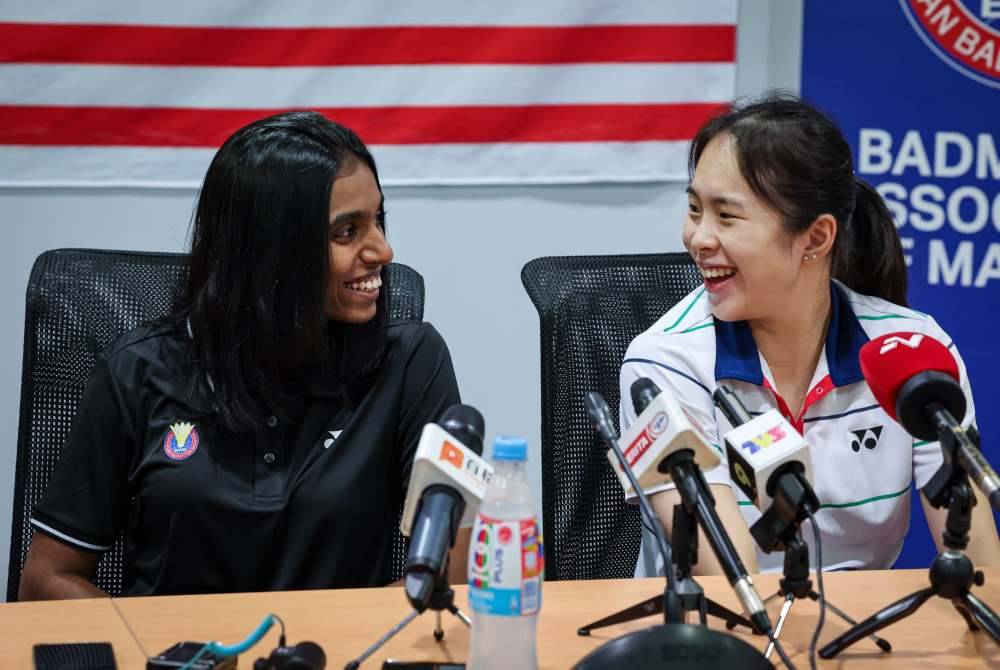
863 462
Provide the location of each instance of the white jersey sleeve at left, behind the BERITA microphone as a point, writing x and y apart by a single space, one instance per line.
672 376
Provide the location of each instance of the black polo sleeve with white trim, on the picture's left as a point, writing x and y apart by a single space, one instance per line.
87 497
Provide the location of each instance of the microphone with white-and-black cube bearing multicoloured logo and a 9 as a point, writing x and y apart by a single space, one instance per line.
769 461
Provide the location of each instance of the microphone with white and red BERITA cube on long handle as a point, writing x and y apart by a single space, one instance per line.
677 460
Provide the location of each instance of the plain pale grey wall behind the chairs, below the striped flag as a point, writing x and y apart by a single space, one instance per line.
469 243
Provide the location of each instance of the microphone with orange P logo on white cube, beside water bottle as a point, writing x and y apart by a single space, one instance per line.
447 483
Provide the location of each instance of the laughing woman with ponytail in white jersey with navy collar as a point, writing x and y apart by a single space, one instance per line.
802 265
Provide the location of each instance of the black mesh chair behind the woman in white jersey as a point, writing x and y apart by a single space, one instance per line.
590 308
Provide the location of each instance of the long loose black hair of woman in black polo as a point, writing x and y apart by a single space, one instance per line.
260 258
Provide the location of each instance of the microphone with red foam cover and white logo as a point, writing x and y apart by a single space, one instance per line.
916 381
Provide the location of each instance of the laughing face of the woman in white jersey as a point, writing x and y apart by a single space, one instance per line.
750 263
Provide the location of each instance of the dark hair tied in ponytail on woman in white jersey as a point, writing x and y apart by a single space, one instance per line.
796 160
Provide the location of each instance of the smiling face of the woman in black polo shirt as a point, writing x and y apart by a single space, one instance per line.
358 248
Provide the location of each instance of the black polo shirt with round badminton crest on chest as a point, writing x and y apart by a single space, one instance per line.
311 504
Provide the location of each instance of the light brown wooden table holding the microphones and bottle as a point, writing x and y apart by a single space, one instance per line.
346 622
